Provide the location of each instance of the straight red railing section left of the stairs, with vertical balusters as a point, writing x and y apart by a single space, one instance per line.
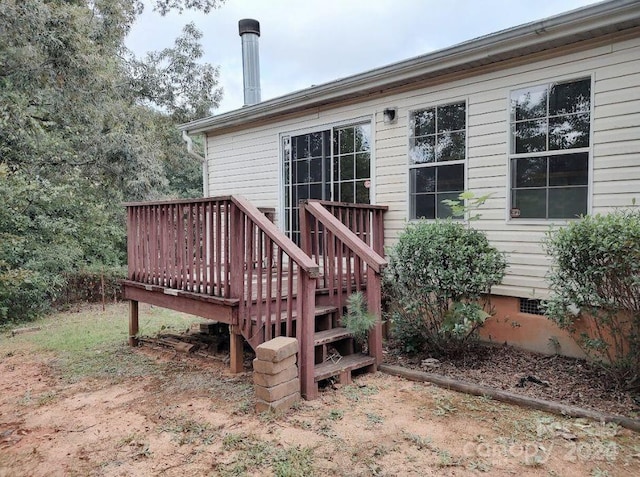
181 245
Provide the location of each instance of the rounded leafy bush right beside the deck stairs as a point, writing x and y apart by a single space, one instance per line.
437 273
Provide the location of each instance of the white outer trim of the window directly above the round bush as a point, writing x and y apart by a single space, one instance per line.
411 166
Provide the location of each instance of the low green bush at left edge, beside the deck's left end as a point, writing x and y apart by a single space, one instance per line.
48 232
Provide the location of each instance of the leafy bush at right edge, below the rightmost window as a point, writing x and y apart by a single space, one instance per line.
596 274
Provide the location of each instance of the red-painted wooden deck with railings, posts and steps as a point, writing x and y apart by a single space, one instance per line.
223 259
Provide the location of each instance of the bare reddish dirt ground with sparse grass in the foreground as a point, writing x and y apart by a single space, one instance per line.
189 416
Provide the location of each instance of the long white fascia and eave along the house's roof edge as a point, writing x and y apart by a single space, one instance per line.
555 31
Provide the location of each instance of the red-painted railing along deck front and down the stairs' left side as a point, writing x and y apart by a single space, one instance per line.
226 247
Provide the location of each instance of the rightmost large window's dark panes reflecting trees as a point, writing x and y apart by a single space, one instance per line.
549 157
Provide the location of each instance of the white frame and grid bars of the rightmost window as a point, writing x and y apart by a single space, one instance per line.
548 153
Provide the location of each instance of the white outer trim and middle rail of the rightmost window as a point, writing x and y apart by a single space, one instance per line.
554 221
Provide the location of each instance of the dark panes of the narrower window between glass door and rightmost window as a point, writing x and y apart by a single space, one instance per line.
437 153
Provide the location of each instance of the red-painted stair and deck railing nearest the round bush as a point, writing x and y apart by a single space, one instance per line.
340 238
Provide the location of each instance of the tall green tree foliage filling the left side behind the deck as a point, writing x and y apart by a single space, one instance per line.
84 126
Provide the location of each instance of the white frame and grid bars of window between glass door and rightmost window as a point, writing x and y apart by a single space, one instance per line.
411 206
